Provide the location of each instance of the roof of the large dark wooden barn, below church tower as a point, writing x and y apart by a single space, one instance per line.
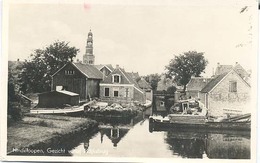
88 70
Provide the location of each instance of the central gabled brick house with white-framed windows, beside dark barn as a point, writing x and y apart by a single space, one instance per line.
119 87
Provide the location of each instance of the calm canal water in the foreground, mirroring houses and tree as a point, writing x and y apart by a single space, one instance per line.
132 138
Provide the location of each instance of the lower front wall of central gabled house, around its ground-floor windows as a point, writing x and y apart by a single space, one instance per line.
121 94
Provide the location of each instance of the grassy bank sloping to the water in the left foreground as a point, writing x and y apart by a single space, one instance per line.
41 131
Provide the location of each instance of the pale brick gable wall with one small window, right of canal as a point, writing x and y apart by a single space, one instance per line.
221 101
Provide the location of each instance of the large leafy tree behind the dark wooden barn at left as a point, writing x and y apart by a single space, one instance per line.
36 74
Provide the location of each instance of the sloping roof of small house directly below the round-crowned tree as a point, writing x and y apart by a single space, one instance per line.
197 83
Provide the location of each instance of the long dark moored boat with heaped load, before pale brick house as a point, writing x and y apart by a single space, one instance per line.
191 113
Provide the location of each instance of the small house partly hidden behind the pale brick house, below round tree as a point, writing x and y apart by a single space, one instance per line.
195 85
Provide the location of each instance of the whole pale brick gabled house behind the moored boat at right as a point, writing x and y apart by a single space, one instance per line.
226 93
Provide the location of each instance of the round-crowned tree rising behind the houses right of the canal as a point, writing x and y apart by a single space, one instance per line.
183 66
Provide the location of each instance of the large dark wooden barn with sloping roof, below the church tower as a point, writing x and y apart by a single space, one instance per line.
79 78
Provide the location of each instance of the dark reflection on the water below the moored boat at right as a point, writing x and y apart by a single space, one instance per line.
194 144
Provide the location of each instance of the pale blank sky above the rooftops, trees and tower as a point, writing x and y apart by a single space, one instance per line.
137 35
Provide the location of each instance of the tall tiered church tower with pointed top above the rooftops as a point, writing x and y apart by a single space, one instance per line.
88 57
